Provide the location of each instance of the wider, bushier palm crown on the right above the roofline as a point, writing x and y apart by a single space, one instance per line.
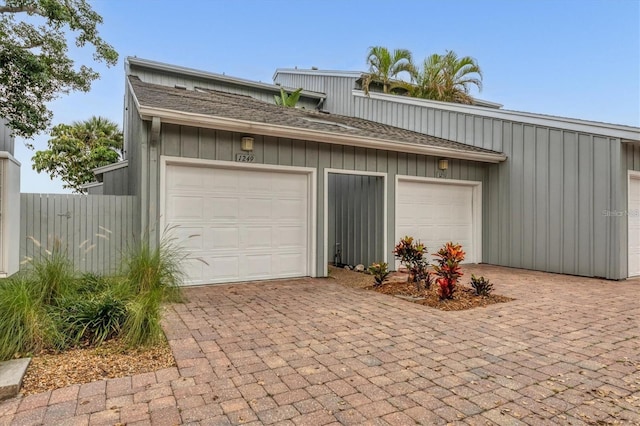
447 78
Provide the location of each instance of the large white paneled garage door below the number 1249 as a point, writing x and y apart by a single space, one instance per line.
239 224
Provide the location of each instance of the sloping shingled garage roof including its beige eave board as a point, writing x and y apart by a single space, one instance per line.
244 114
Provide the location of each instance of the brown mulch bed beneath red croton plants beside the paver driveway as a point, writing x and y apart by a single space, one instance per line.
397 285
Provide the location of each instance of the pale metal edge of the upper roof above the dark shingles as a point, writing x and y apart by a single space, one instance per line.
146 63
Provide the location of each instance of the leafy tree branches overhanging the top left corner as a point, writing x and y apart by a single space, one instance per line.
34 65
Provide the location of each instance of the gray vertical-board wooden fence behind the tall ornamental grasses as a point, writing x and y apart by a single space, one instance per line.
93 229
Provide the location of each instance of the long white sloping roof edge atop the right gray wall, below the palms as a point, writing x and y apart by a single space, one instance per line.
624 132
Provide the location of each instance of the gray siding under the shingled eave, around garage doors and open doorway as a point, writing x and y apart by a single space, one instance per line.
193 142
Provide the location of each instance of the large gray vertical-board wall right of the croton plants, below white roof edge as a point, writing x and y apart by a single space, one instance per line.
544 208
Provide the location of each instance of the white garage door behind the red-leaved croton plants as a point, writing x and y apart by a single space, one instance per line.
437 213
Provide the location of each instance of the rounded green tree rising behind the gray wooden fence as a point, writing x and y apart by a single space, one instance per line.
76 149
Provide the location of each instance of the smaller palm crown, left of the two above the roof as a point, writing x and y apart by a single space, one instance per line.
385 66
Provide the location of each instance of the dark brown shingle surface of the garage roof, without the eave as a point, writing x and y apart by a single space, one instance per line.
245 108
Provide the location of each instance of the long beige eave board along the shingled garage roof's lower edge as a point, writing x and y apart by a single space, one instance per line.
243 126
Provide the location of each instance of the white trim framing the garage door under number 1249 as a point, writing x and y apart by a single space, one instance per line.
221 164
